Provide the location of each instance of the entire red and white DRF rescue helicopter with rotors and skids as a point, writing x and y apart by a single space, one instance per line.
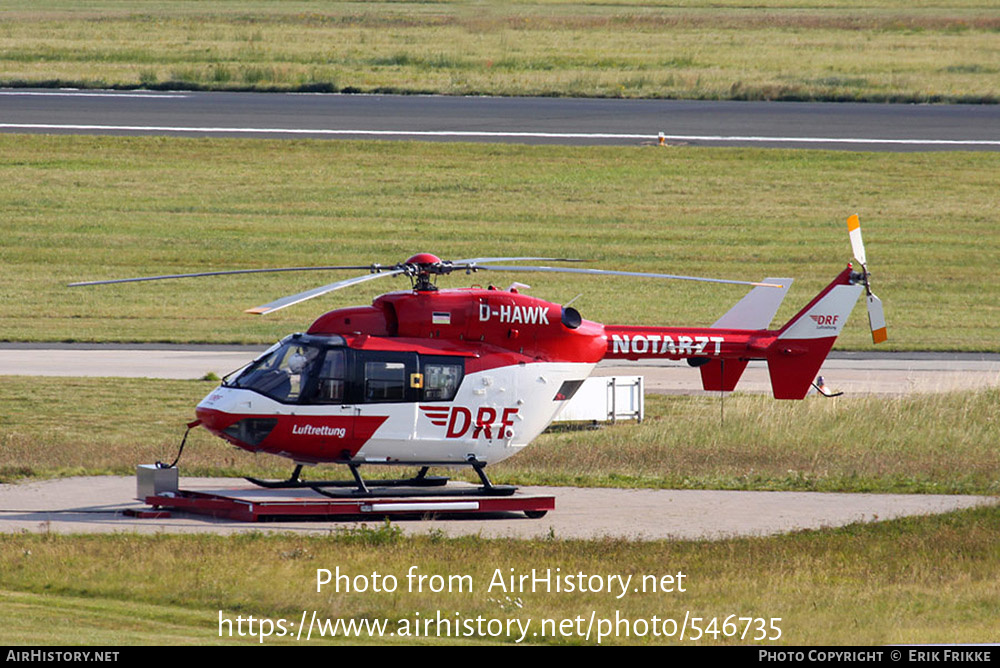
450 377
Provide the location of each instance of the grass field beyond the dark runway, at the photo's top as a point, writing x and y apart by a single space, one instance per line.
874 50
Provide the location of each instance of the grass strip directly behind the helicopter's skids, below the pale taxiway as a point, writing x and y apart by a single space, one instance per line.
936 443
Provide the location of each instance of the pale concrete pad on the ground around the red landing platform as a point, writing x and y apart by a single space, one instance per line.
94 505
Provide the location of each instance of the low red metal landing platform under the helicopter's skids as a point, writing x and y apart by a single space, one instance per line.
255 504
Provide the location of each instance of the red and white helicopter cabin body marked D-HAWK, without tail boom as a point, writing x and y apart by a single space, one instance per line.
419 377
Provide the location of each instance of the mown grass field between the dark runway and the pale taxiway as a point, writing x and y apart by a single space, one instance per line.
77 208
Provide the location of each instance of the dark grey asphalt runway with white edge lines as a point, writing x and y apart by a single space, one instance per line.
852 126
